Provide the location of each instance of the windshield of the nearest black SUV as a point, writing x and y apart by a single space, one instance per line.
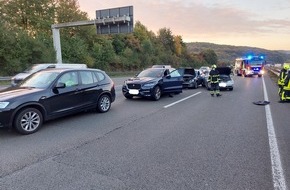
39 80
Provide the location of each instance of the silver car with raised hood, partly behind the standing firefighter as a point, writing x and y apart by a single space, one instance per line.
226 81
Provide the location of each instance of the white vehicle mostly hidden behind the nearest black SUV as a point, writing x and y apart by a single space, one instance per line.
37 67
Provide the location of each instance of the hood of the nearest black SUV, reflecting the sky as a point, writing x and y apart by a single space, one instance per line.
11 93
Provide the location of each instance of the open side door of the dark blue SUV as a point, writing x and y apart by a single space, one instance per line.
172 82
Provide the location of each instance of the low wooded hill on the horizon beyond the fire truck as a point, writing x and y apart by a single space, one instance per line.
227 53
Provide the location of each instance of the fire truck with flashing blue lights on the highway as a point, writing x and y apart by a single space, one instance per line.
250 65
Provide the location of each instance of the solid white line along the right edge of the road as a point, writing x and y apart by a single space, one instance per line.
277 170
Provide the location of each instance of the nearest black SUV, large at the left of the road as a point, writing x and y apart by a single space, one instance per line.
53 93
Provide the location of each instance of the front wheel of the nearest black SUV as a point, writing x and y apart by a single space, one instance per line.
28 121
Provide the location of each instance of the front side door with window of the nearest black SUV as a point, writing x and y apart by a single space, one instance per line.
68 98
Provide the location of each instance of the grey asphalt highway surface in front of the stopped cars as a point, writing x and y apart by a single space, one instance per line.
189 141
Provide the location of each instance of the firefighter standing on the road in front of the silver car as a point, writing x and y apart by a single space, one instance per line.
214 79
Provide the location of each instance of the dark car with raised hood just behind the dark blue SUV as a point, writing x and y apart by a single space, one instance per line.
189 75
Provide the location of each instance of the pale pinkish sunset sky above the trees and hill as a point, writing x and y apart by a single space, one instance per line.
255 23
